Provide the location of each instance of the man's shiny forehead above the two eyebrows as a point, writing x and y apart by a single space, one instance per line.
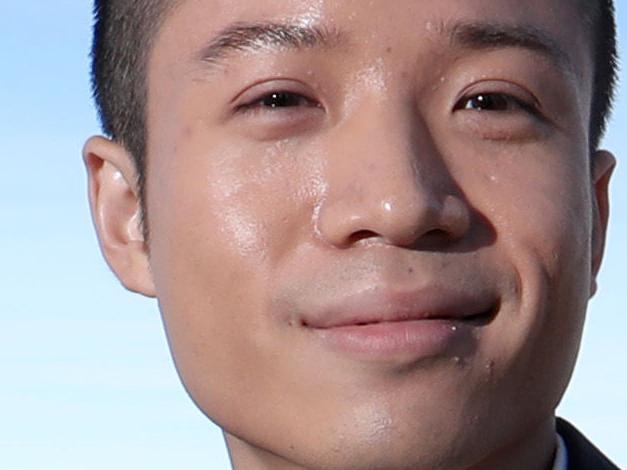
192 24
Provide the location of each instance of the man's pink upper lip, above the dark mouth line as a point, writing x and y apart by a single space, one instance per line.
385 305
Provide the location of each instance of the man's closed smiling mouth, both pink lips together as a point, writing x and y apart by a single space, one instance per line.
378 324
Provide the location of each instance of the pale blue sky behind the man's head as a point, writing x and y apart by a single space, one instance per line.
86 380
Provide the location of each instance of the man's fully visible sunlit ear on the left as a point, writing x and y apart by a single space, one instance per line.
116 211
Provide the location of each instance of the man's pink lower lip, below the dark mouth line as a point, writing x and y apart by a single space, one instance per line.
405 340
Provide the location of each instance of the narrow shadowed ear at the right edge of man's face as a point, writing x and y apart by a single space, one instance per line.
603 164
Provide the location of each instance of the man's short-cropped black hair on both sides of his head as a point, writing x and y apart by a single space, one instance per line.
125 29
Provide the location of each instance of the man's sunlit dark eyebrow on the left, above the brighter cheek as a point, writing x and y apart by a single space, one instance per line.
251 37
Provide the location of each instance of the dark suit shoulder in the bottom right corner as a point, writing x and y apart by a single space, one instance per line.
582 454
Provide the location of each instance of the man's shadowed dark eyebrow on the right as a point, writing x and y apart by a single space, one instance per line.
479 36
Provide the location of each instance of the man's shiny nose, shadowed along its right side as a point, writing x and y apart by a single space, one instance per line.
387 183
